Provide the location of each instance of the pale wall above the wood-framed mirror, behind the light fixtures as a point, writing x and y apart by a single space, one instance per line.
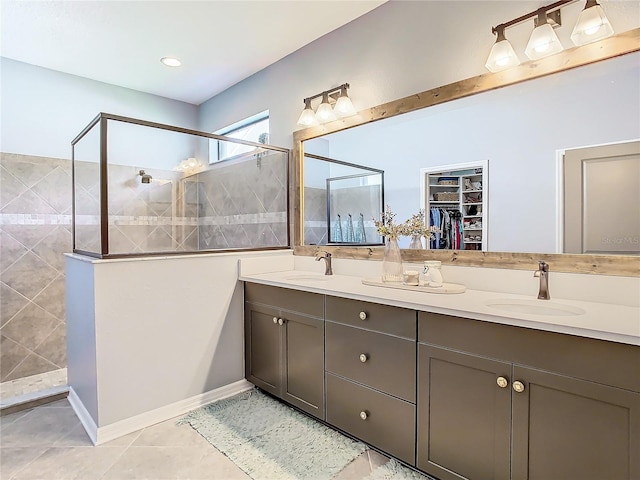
398 49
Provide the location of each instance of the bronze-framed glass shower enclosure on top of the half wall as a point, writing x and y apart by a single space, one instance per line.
163 197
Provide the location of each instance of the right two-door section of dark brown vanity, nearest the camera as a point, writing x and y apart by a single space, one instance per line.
502 402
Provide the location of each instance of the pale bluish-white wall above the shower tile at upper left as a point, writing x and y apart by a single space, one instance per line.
43 110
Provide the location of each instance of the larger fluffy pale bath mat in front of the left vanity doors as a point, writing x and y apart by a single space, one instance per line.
269 440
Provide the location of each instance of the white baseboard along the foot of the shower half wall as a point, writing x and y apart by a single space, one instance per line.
103 434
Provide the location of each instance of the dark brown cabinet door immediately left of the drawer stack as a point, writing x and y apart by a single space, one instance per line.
303 384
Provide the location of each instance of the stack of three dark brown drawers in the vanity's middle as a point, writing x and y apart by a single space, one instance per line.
371 373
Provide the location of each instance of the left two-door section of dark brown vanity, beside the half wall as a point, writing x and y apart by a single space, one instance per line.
284 344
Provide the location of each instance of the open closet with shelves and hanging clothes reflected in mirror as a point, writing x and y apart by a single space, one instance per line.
458 197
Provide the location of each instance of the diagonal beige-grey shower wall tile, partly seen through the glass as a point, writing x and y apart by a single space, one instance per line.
233 205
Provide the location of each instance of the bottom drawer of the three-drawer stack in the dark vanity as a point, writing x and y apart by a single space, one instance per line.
389 423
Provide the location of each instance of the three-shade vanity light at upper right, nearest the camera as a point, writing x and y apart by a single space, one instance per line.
592 25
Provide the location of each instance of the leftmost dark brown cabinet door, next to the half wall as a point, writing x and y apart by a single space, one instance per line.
262 347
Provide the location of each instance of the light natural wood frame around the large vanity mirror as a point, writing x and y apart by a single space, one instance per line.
624 265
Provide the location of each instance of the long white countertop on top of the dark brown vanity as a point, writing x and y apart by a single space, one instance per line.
618 323
